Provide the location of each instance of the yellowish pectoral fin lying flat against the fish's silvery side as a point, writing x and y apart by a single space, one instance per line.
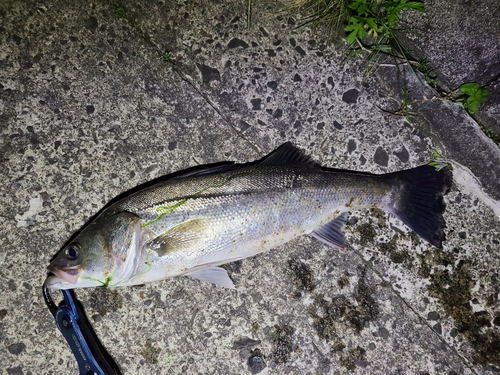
183 236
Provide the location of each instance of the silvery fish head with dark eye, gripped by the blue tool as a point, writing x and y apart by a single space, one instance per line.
104 253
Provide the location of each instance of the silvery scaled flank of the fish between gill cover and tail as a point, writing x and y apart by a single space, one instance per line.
248 211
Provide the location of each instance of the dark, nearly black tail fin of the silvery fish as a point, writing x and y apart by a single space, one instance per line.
418 200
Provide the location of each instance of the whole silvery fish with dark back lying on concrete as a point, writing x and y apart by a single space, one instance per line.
194 222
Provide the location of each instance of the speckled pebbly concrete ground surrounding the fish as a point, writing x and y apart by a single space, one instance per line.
89 109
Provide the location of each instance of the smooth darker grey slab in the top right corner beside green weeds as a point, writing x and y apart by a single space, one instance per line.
471 54
